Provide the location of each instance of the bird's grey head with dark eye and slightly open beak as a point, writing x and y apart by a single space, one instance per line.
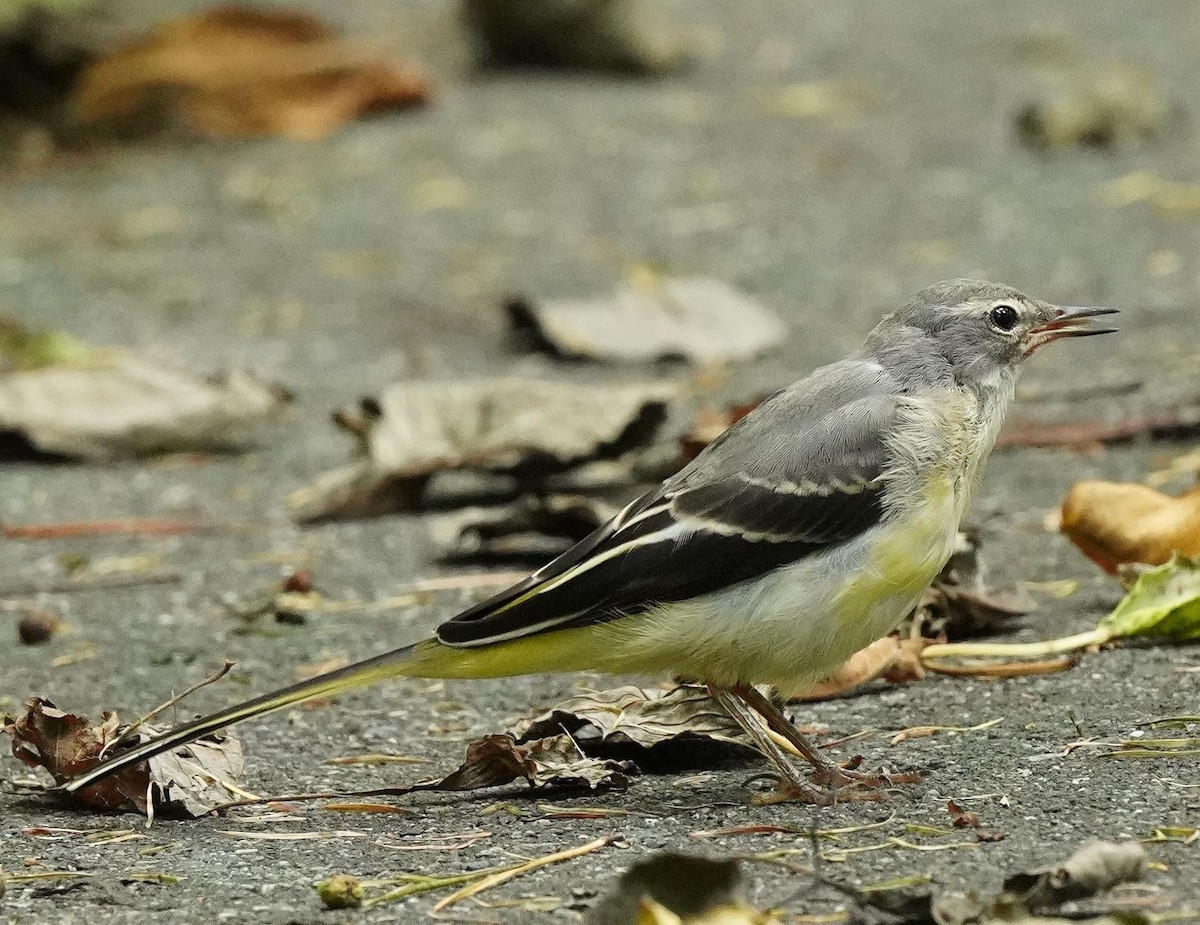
983 331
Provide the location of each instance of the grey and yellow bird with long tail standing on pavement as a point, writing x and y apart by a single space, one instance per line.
806 532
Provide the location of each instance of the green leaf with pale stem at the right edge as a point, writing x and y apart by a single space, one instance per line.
1165 603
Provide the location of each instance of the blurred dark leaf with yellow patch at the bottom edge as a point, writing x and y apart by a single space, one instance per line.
671 888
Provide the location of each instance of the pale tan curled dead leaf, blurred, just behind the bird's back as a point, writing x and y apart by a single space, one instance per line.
527 429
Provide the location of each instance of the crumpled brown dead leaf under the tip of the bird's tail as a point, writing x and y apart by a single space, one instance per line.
189 779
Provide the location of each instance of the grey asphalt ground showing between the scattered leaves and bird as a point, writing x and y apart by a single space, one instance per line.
333 268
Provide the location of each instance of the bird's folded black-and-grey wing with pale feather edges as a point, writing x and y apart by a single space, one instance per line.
788 480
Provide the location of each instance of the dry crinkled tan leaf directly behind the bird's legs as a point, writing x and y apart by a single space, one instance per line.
615 720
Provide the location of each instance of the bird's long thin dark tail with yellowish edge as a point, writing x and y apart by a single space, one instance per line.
389 665
